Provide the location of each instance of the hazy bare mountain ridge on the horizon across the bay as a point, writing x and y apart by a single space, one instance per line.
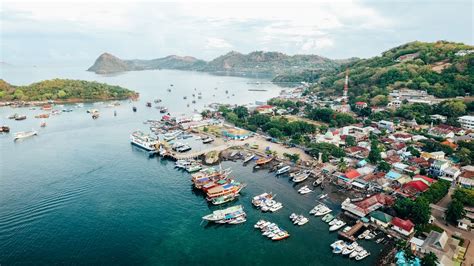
232 63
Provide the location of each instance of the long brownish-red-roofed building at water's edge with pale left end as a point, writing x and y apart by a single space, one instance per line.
367 205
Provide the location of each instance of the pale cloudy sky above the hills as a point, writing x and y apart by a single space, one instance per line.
39 31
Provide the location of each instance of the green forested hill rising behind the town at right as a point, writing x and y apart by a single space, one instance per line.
444 69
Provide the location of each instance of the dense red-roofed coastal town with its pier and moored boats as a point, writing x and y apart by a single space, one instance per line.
405 184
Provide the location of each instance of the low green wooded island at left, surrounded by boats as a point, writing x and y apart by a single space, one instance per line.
63 91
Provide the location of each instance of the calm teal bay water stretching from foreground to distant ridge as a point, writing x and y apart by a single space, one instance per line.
79 193
